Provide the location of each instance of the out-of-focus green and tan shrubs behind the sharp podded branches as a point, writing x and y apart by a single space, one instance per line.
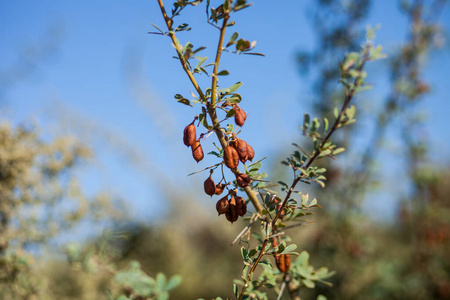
374 257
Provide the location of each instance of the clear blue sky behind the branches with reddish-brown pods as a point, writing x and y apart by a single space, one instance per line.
101 68
